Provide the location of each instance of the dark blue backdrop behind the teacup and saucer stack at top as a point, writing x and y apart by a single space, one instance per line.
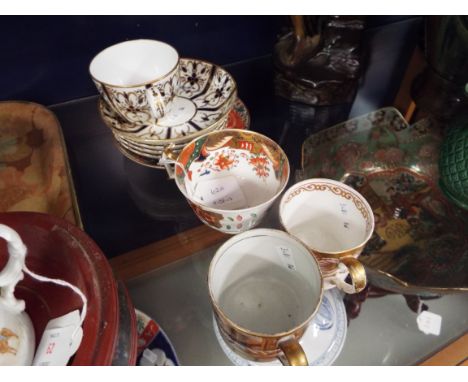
45 59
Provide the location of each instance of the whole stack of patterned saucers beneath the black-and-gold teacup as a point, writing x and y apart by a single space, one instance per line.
205 101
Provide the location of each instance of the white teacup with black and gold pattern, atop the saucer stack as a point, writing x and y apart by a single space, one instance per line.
137 78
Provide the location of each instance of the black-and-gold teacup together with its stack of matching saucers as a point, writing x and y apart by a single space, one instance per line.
152 99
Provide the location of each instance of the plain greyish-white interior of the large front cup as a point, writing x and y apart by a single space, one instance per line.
260 289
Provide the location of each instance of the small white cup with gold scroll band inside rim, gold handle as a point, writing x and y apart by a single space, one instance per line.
335 222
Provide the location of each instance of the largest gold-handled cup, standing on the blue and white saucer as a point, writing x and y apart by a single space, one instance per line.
265 288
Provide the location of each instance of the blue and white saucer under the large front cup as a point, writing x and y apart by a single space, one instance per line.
322 342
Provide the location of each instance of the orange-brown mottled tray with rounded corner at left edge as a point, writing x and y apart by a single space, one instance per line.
34 170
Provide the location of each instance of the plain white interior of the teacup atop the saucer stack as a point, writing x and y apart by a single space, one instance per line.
134 62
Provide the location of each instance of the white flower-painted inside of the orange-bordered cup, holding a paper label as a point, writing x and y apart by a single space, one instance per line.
232 179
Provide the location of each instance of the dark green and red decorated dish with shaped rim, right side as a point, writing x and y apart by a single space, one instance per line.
420 241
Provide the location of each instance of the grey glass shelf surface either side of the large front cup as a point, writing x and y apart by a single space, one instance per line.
384 333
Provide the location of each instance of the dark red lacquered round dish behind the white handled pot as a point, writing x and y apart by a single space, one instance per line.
58 249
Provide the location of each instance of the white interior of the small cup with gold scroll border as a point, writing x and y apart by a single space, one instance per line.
324 220
